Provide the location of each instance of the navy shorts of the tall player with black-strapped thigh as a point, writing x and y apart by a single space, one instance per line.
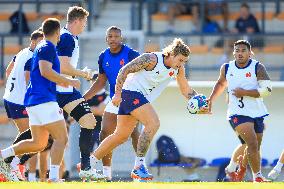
65 98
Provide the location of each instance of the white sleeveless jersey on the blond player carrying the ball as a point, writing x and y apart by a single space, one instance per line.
151 83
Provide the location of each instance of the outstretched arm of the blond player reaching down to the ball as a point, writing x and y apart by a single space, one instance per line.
184 87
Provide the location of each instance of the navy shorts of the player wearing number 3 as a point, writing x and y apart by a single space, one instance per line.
239 119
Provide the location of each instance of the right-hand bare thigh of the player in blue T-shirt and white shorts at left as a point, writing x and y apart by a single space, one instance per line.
57 130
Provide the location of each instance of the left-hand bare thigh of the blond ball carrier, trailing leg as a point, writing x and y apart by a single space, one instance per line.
125 125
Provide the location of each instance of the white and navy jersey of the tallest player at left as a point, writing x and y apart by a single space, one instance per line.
74 57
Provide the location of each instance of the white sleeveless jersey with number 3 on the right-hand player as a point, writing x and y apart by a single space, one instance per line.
245 78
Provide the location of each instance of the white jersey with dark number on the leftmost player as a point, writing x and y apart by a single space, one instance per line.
16 83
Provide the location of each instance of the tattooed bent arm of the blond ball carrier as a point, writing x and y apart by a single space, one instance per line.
146 61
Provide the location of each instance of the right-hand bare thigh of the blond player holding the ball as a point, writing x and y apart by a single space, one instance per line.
146 115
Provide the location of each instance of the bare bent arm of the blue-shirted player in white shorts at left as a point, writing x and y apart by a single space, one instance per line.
47 72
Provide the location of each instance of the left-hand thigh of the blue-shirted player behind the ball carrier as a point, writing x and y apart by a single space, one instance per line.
109 123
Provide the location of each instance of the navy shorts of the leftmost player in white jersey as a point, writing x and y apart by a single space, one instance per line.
15 111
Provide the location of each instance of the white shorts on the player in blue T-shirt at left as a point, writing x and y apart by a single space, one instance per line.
45 113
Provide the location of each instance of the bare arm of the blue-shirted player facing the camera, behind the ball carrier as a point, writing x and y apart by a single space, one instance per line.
98 85
